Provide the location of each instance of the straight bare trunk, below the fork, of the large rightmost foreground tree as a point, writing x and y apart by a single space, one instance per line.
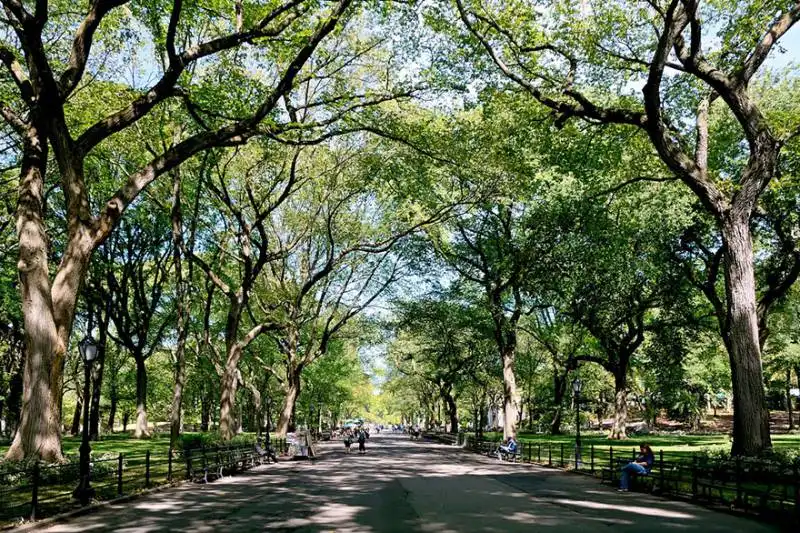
750 414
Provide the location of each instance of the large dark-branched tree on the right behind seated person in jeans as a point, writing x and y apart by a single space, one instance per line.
570 52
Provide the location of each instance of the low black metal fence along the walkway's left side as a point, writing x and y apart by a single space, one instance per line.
39 490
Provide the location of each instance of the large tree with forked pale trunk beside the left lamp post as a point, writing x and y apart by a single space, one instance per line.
39 112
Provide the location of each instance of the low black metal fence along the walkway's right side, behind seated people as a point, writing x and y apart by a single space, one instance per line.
767 488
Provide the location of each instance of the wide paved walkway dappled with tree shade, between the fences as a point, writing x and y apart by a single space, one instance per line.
403 486
